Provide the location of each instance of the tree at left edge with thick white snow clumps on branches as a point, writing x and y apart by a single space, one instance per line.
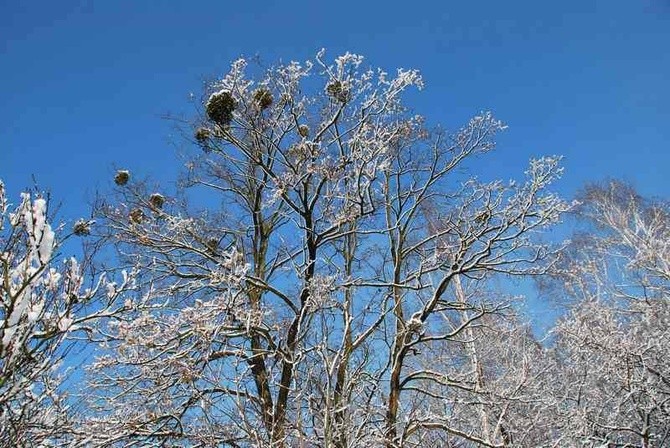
43 305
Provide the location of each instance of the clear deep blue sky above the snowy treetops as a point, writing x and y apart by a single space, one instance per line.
85 84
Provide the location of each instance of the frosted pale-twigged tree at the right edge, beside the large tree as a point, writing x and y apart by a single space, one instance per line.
614 346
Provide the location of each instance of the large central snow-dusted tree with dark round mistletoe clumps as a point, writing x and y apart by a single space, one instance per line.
303 307
